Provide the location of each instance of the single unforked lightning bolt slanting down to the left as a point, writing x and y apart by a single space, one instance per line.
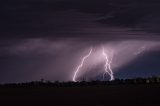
81 65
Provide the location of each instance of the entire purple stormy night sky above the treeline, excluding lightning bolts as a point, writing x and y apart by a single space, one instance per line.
48 38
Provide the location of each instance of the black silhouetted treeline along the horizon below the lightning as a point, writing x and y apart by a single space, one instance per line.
45 83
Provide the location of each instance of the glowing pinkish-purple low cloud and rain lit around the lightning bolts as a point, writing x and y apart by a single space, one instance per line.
58 59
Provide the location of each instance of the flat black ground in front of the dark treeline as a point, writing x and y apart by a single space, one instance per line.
108 95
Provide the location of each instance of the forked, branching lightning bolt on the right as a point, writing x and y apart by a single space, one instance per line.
108 66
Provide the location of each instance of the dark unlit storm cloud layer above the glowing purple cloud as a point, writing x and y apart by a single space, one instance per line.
73 18
